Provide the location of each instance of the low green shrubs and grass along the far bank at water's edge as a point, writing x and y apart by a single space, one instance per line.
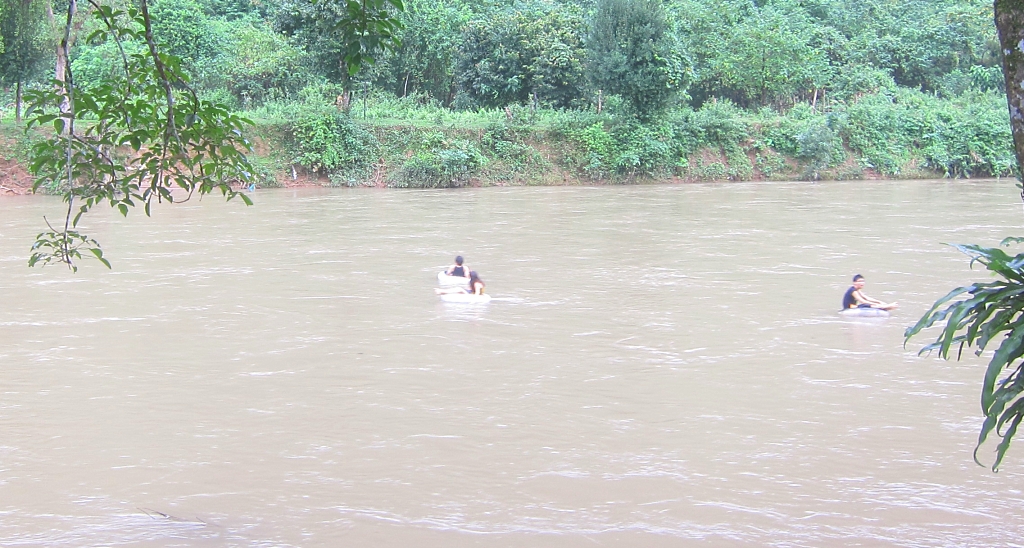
387 142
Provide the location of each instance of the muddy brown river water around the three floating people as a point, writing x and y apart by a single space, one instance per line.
661 366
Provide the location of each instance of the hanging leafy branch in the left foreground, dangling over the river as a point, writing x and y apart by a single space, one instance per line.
142 138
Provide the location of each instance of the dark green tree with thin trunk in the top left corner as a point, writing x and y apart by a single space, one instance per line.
25 37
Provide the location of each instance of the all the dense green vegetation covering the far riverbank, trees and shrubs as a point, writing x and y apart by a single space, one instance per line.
547 92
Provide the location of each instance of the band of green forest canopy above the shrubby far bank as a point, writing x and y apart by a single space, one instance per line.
470 55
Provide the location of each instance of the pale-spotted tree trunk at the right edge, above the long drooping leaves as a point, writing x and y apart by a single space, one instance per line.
1010 24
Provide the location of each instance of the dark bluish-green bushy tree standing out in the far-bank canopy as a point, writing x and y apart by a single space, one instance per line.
631 54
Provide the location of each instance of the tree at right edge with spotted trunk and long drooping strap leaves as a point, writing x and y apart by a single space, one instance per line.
992 314
